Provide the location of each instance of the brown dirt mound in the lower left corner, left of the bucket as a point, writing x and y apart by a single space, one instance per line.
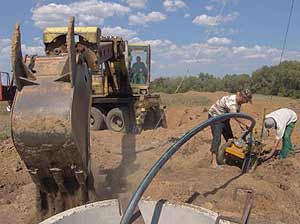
17 192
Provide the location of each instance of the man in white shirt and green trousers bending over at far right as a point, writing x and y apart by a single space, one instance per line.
283 121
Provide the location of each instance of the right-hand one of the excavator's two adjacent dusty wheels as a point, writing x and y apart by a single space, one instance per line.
117 120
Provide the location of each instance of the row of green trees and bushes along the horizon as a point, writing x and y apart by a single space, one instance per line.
282 80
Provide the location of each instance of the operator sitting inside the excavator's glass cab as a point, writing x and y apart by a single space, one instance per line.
139 72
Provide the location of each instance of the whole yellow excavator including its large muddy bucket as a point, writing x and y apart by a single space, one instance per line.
55 95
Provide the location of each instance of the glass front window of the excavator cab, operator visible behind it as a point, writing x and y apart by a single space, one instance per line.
138 66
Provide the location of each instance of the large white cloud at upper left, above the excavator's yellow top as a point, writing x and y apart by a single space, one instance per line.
90 12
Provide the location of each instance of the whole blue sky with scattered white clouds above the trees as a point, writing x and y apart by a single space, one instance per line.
215 36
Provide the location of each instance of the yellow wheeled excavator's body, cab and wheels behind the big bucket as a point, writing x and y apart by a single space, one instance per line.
120 87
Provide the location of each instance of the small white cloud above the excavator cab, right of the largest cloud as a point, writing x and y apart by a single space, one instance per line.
144 19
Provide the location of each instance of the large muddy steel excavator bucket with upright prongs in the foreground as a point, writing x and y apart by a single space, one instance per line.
50 123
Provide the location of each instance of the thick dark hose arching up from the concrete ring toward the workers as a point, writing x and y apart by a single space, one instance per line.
126 218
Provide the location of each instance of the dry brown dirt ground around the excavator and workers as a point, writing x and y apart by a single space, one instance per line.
120 161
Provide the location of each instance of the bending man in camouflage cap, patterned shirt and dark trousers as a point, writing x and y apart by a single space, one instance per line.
226 104
